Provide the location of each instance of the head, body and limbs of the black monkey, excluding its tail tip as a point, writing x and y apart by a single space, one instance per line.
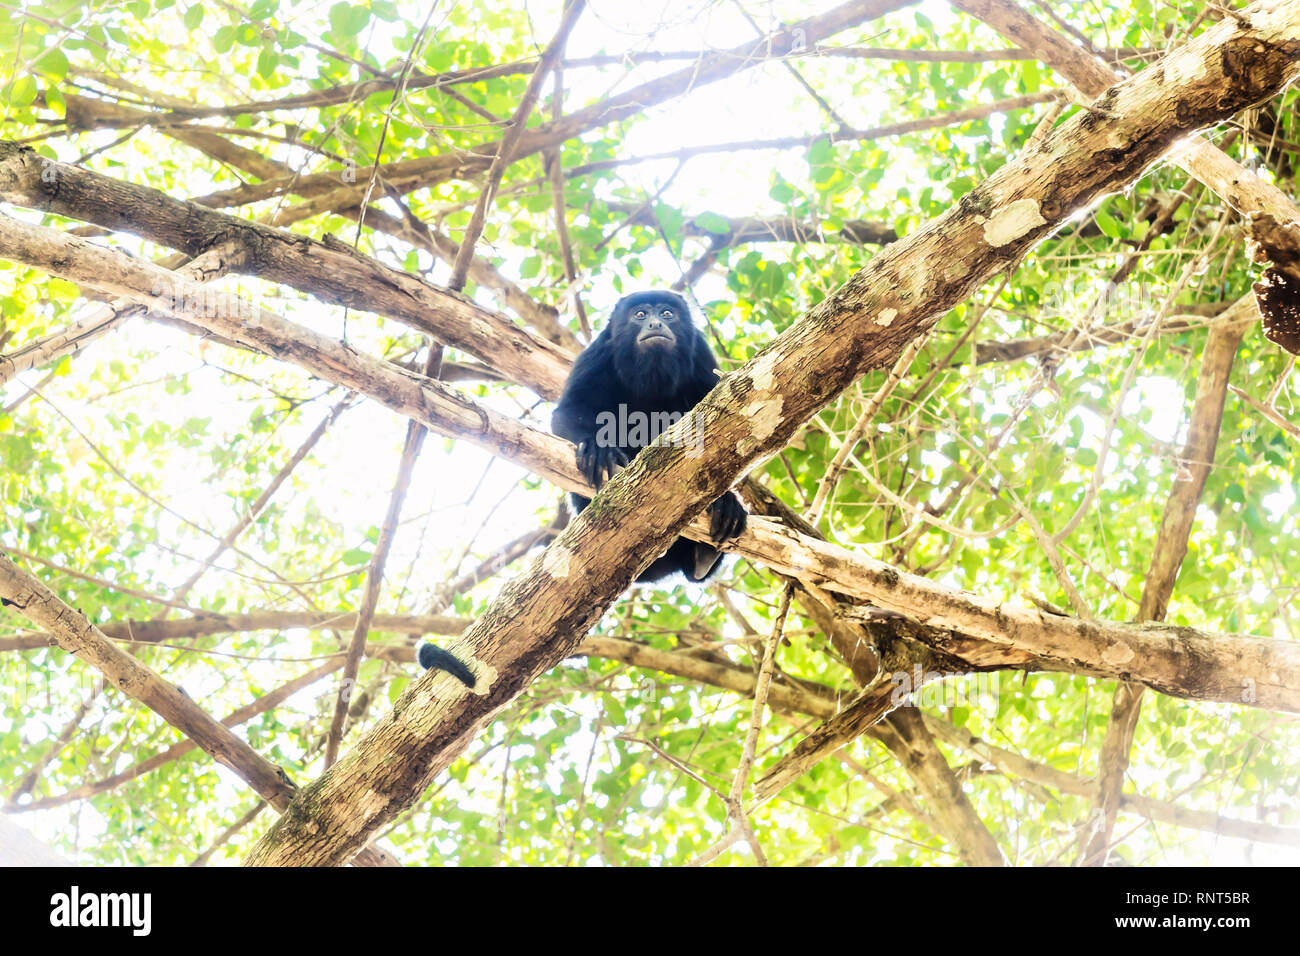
649 360
